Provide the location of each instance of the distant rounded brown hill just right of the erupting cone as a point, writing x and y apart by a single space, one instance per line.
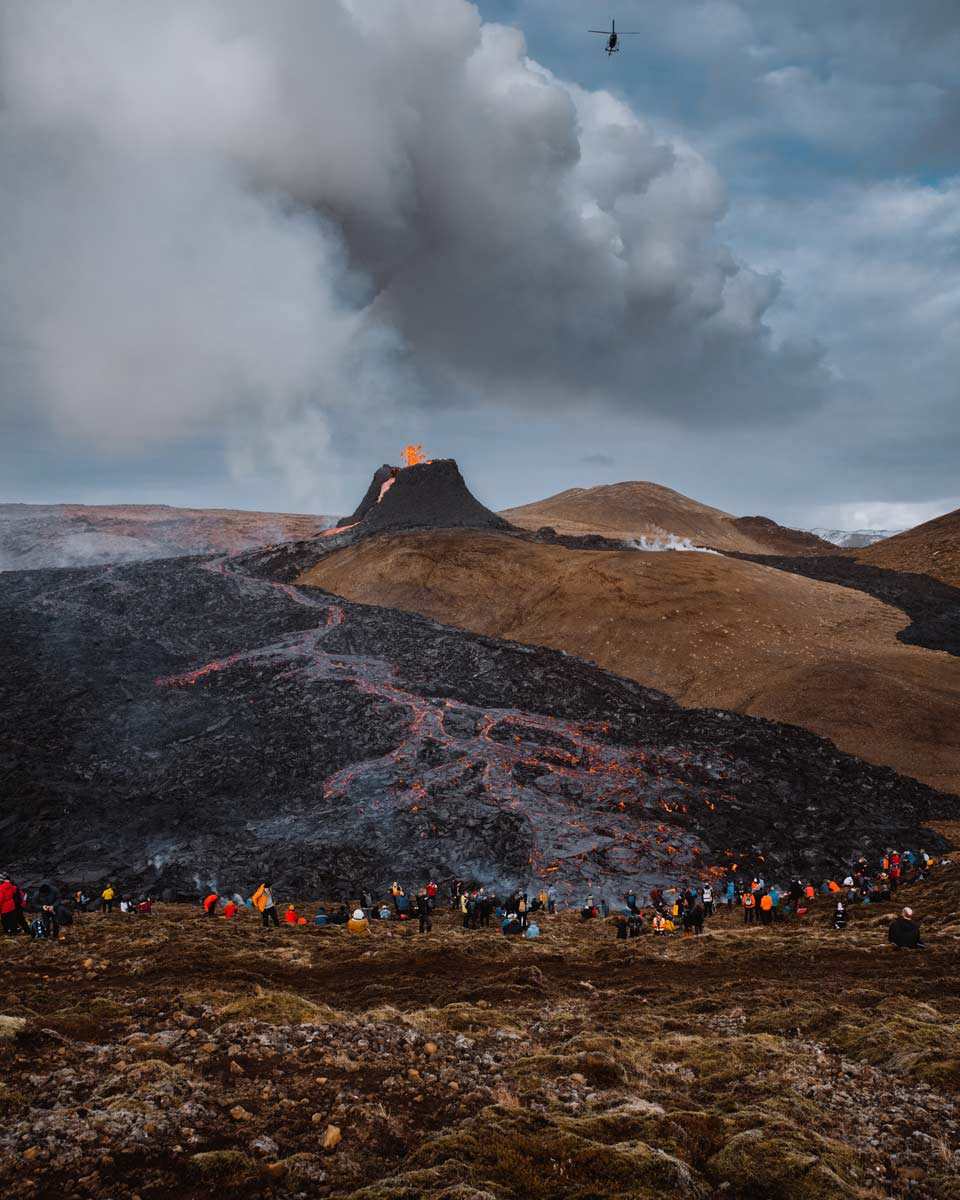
641 509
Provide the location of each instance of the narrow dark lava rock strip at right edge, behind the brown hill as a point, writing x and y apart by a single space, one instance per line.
933 607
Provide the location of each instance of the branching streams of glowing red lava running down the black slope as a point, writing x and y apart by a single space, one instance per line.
578 802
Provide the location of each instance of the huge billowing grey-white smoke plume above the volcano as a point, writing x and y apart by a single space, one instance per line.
229 215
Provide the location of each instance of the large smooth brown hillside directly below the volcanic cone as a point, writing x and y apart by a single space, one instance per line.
709 631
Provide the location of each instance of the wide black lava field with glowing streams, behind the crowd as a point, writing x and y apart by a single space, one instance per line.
182 723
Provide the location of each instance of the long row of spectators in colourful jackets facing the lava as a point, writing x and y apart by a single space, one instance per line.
669 911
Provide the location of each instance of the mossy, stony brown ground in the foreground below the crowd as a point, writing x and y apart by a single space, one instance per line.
177 1058
